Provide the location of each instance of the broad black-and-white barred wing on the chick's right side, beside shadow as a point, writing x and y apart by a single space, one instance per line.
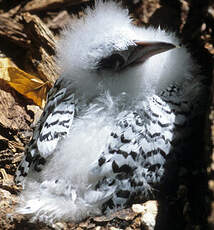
134 158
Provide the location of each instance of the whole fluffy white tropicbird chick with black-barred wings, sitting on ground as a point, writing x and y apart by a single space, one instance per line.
111 118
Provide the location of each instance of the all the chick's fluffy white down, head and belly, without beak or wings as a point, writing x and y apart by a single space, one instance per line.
64 189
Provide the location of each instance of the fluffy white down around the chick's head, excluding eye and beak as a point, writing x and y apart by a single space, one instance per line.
108 28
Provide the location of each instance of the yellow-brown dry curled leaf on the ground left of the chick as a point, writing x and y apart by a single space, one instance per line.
24 83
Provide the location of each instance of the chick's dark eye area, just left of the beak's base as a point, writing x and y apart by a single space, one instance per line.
114 62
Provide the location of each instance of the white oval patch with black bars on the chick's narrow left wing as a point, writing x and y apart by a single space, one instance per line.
56 124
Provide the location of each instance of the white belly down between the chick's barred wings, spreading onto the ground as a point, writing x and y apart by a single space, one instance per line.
64 189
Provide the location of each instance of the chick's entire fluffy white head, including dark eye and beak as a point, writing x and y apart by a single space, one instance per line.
104 51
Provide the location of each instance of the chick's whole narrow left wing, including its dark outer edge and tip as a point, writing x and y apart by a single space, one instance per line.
54 124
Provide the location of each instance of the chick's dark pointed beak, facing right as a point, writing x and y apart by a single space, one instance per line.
144 50
